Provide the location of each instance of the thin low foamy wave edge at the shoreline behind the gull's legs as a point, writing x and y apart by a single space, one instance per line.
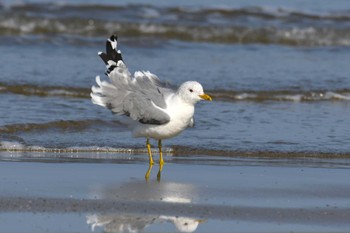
18 150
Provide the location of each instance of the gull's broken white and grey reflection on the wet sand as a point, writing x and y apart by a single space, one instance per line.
150 192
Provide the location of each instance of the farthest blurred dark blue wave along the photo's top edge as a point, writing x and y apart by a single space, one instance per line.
146 11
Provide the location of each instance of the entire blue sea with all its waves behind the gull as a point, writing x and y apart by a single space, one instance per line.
278 72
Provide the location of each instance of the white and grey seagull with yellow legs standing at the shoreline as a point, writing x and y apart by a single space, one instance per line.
156 110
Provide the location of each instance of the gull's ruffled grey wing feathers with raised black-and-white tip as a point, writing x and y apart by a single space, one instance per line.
141 97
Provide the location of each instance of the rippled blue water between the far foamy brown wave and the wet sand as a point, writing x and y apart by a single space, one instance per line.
266 98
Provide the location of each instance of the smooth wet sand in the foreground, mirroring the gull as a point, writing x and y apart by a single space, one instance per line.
199 194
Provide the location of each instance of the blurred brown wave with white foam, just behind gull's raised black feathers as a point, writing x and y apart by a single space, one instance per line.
307 36
